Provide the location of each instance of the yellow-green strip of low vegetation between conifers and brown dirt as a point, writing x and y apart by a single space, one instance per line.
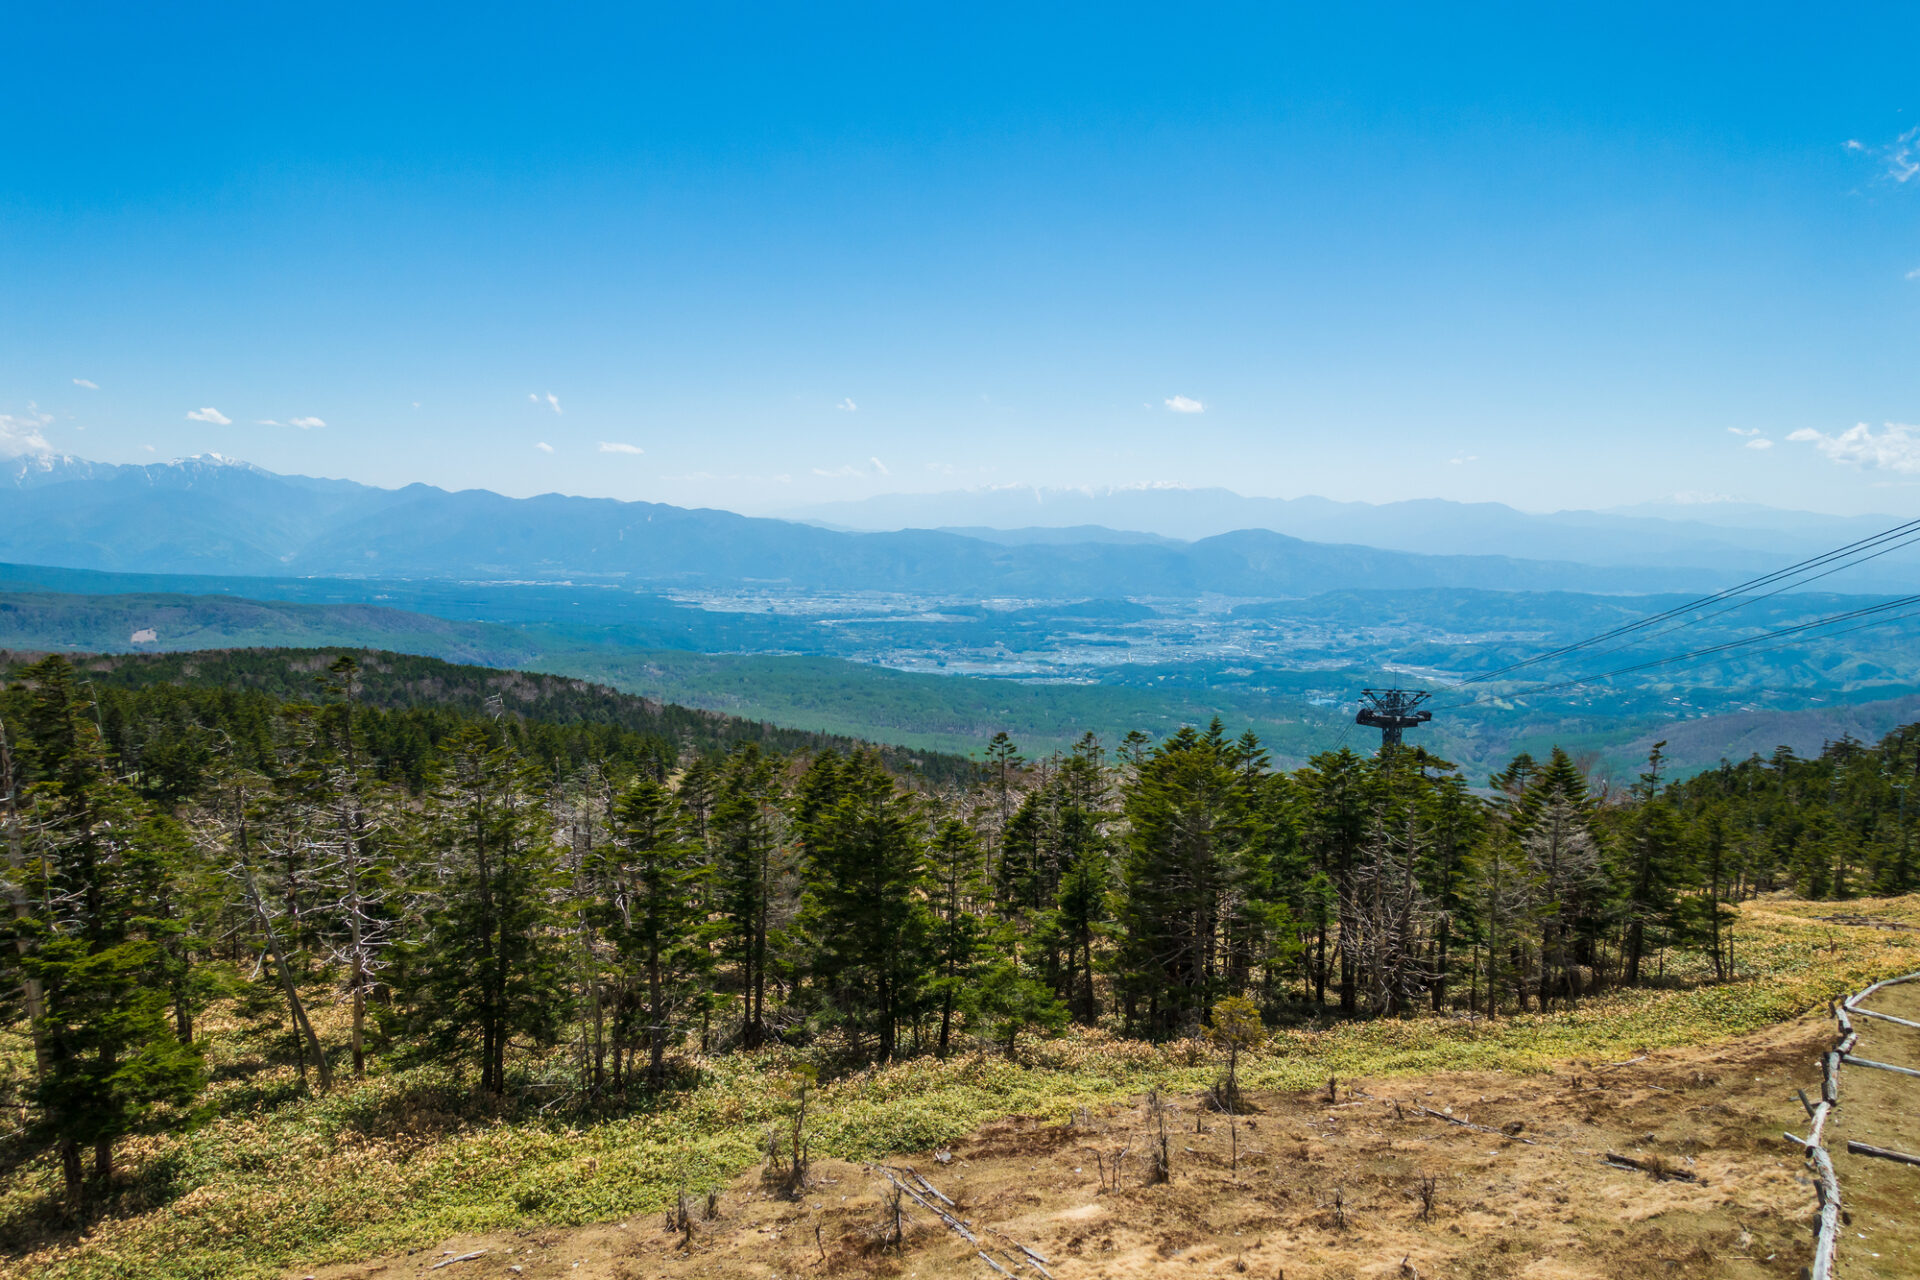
410 1158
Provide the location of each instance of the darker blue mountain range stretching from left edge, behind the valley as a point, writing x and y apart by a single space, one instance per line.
214 515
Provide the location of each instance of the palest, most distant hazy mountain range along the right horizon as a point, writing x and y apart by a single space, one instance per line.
1739 538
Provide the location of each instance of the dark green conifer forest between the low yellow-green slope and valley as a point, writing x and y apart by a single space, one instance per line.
481 889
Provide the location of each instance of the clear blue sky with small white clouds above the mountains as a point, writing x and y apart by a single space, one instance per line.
765 256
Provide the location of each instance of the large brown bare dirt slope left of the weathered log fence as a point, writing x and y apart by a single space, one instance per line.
1322 1189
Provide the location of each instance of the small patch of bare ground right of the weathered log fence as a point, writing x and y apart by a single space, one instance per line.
1881 1235
